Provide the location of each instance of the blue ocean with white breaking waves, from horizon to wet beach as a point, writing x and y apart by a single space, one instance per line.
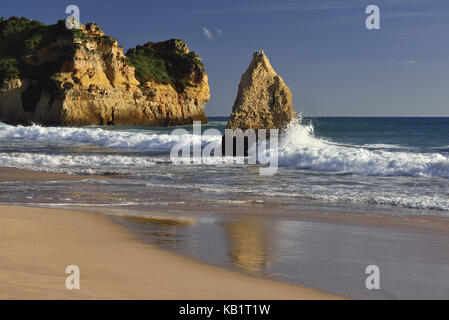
395 165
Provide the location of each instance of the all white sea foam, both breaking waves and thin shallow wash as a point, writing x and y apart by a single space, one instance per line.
299 148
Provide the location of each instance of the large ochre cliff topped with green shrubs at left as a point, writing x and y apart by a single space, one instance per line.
55 76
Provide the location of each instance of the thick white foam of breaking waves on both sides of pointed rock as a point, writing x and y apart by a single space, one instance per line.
298 147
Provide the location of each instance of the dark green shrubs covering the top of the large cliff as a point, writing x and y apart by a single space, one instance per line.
164 62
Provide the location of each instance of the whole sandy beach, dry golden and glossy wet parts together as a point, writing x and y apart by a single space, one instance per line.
323 250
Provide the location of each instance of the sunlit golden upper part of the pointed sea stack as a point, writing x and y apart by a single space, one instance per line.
263 100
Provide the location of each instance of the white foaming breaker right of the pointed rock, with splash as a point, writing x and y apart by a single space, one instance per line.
300 148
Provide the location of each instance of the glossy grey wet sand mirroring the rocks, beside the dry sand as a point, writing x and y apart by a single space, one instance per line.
323 255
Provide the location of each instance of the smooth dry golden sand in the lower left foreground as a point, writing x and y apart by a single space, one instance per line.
36 246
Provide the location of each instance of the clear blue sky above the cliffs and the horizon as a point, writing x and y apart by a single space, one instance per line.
333 65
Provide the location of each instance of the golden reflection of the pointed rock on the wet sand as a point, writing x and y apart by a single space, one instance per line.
249 243
